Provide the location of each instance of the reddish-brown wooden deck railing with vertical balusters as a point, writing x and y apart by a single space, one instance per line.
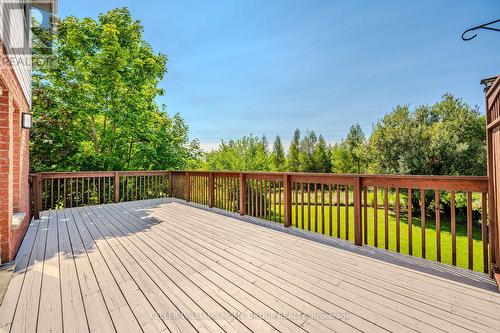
442 218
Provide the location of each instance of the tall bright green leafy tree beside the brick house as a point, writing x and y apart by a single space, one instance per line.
94 101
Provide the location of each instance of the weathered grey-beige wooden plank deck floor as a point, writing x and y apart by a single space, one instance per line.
162 265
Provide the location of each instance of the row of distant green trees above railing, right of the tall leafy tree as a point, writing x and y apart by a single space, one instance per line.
446 138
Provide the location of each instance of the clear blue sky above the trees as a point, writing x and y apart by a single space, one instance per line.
268 67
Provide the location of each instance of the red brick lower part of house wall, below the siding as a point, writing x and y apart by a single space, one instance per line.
14 159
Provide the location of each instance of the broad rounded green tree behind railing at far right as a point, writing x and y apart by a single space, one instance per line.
447 138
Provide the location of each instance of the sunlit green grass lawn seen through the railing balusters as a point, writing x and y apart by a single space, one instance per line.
430 232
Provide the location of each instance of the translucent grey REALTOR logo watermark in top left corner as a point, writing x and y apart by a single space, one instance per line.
25 25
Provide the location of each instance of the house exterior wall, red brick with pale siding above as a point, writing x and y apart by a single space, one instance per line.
15 99
